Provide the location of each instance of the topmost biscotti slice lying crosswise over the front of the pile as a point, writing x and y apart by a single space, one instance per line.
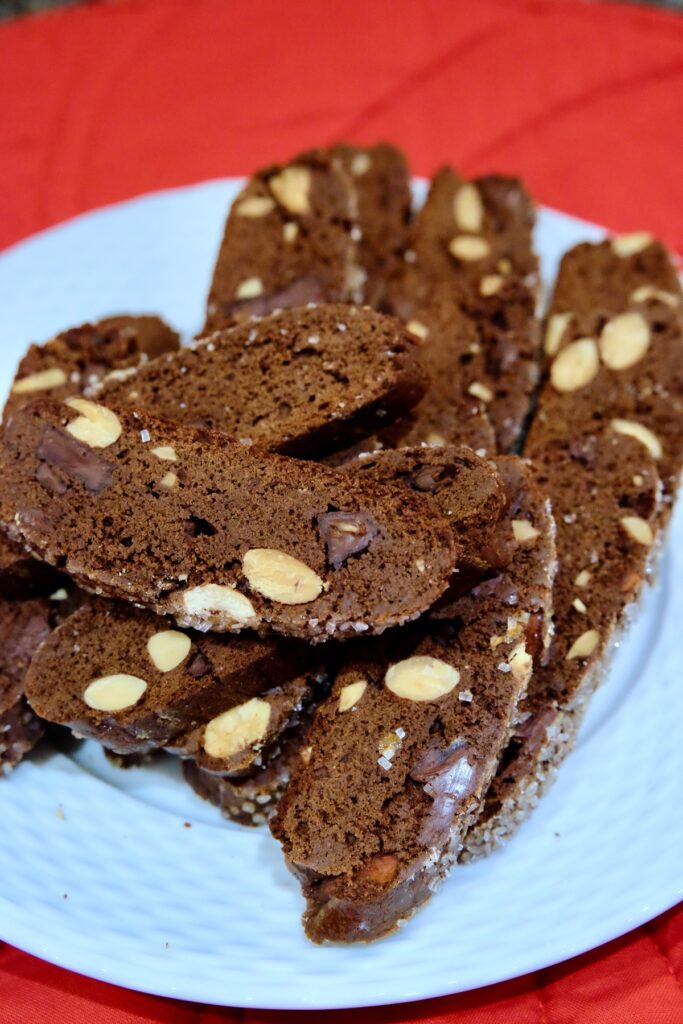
189 524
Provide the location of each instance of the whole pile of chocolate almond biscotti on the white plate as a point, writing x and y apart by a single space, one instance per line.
314 574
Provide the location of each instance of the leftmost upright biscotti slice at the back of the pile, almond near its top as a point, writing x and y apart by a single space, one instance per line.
288 241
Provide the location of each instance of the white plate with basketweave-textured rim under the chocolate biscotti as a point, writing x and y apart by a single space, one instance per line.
98 870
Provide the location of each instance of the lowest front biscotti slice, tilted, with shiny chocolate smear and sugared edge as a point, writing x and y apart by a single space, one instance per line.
403 751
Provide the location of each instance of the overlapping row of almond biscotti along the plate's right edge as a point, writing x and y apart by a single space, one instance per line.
608 449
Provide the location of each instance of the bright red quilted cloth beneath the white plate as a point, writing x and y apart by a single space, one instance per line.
585 101
